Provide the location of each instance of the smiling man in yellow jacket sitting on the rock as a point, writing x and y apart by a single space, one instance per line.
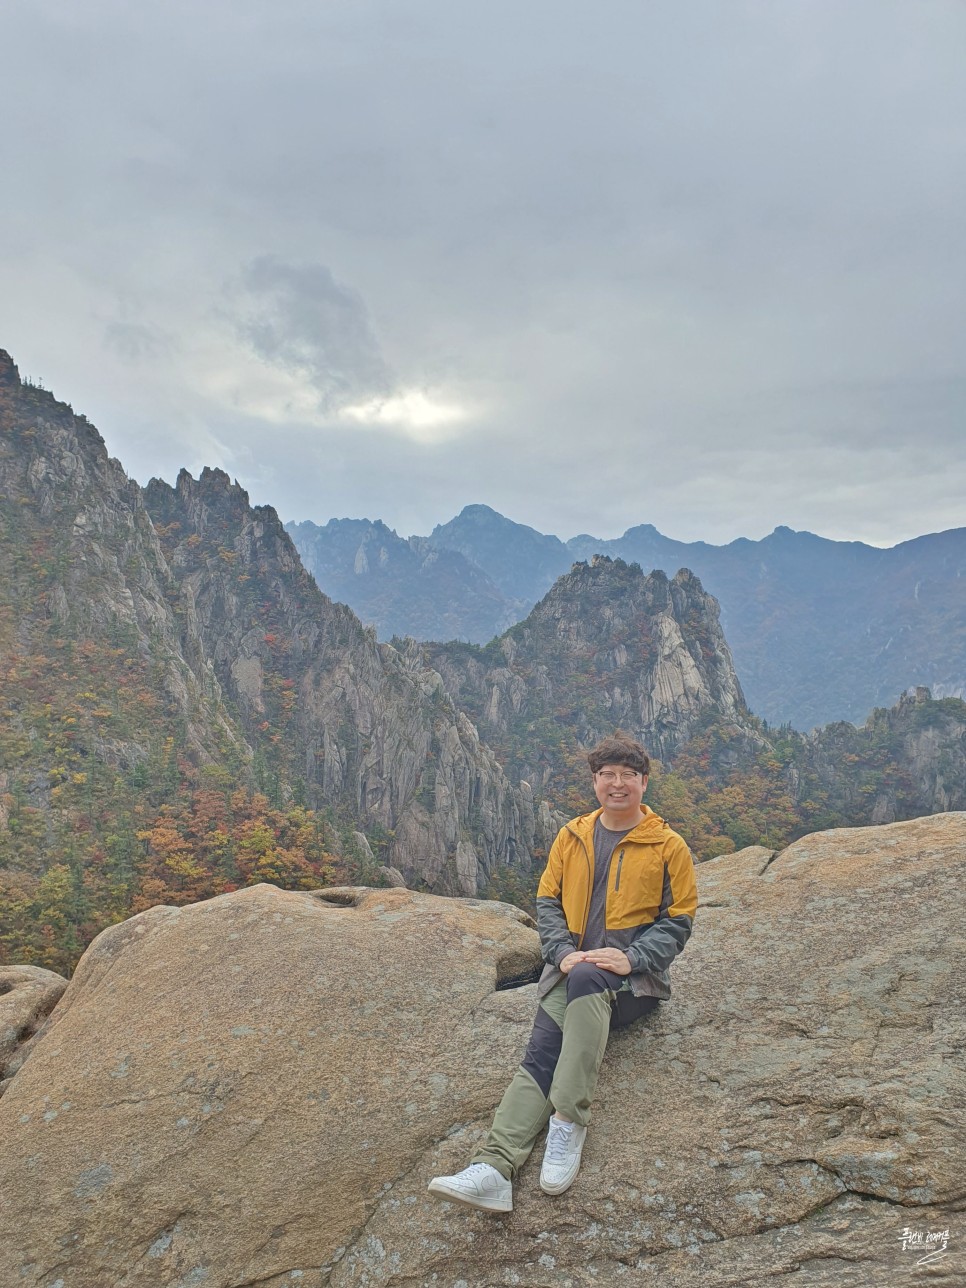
615 907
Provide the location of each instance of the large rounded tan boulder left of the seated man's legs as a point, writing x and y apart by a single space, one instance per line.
230 1088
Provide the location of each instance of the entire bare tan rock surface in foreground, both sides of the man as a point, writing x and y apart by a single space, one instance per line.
257 1090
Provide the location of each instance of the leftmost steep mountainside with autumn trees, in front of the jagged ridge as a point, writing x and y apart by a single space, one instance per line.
102 714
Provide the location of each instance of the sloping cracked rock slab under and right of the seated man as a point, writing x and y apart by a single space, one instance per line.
794 1108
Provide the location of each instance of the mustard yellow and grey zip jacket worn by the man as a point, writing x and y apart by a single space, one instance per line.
651 900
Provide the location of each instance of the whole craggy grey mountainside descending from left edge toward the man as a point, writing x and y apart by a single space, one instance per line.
144 645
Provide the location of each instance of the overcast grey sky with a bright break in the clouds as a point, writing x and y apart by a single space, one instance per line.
695 265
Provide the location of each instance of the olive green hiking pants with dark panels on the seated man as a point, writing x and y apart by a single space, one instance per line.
560 1071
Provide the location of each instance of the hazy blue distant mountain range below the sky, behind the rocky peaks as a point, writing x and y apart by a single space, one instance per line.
820 630
